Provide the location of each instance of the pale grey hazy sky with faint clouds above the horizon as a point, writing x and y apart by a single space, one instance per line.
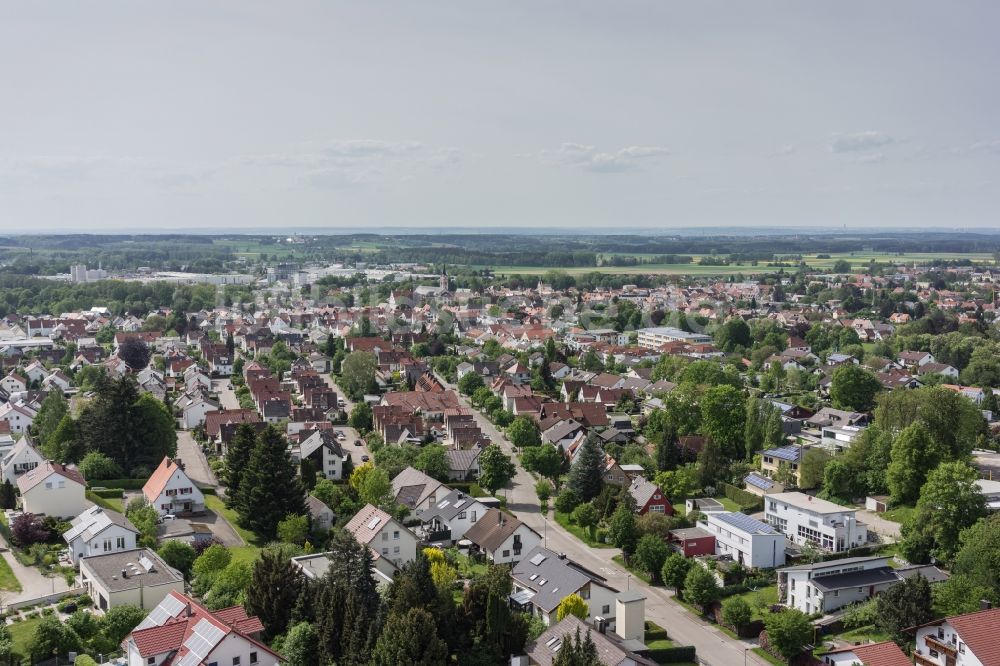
145 116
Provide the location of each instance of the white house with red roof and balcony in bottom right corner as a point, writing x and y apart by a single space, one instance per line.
960 640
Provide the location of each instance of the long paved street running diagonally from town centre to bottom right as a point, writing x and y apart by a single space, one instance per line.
714 647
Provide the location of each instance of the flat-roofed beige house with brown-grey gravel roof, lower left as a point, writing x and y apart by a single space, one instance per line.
137 577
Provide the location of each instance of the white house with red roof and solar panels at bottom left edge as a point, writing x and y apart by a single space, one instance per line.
182 632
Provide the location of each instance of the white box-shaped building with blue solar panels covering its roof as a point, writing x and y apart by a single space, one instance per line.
749 541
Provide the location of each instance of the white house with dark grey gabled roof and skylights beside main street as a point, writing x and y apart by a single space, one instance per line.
543 578
